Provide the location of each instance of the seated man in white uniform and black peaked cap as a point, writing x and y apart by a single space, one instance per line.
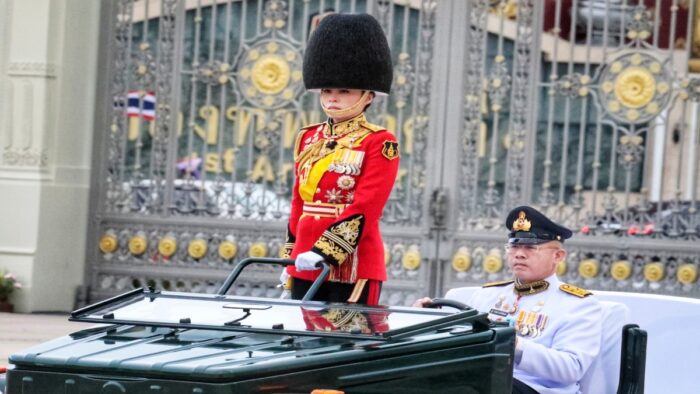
558 326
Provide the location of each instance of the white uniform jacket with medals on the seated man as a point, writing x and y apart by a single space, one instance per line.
558 354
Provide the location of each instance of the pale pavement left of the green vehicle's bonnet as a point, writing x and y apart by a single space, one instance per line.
22 330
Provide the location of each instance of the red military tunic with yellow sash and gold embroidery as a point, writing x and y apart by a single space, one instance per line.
344 174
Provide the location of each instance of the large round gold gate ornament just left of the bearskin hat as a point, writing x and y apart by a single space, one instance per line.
269 73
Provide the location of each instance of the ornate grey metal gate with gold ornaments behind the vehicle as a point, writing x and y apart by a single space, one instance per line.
582 108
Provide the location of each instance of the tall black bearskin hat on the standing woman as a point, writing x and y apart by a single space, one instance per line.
348 51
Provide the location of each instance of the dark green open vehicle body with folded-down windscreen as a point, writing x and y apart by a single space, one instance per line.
168 342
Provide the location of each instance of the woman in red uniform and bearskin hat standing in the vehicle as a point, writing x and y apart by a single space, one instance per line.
345 167
